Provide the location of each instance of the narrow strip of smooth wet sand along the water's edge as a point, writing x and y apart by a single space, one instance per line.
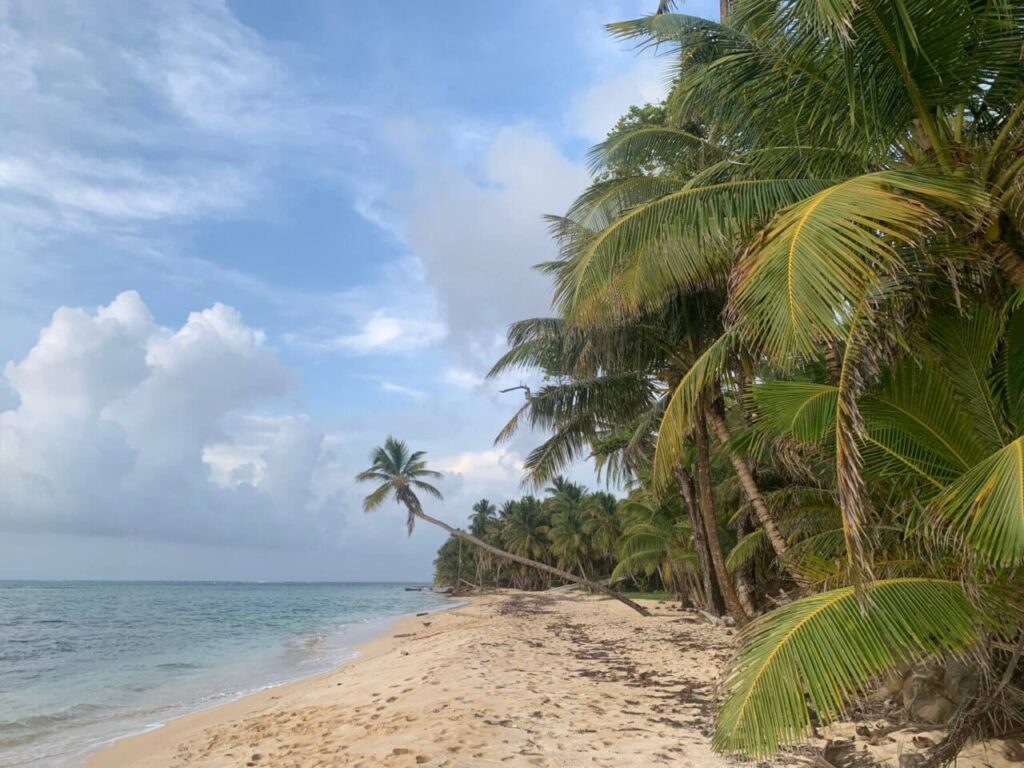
238 705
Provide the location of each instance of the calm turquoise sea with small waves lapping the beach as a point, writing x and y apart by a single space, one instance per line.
83 663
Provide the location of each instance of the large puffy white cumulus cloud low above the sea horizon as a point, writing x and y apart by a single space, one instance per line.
126 428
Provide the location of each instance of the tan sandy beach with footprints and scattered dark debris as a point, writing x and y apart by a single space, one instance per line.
509 680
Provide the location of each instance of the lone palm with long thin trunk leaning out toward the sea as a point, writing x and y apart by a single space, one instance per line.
401 474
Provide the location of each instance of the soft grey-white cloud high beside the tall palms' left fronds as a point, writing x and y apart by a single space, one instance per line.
480 231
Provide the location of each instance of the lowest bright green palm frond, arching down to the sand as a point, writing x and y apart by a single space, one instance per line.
822 651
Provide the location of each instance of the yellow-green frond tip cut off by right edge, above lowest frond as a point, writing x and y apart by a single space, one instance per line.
986 507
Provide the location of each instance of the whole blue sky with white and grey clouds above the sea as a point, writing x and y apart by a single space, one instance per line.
241 243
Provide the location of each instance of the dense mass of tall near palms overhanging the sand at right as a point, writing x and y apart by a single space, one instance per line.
791 319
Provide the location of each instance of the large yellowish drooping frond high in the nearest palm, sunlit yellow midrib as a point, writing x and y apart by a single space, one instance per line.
821 257
